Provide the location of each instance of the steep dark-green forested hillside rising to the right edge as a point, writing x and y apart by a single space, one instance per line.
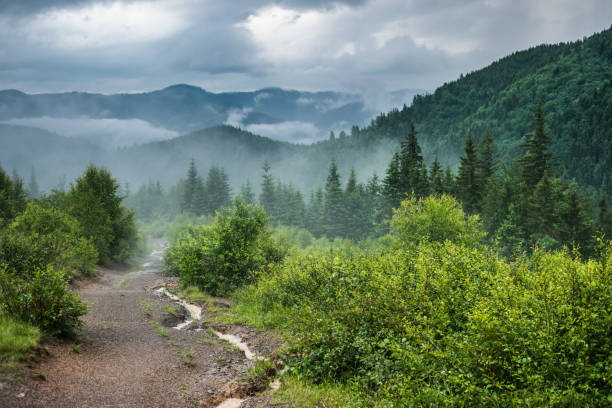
571 80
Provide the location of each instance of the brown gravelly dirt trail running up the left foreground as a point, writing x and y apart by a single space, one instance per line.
123 360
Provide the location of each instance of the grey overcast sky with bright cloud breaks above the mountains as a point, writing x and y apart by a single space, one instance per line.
226 45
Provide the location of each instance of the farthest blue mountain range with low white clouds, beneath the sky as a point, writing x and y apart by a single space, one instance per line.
287 115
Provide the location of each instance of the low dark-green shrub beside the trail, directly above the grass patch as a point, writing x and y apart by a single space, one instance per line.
40 296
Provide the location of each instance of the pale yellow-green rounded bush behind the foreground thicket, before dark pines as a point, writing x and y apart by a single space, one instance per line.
435 219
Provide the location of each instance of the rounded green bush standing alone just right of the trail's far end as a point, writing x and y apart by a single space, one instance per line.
226 255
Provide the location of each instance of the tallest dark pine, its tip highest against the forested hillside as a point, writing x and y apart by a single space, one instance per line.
537 157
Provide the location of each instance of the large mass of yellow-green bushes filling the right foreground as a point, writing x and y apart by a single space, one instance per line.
445 324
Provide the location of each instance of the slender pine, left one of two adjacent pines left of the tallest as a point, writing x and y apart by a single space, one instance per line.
468 188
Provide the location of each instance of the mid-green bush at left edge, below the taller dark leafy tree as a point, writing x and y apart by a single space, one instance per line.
41 236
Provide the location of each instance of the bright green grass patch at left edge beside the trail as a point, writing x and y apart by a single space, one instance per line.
17 339
